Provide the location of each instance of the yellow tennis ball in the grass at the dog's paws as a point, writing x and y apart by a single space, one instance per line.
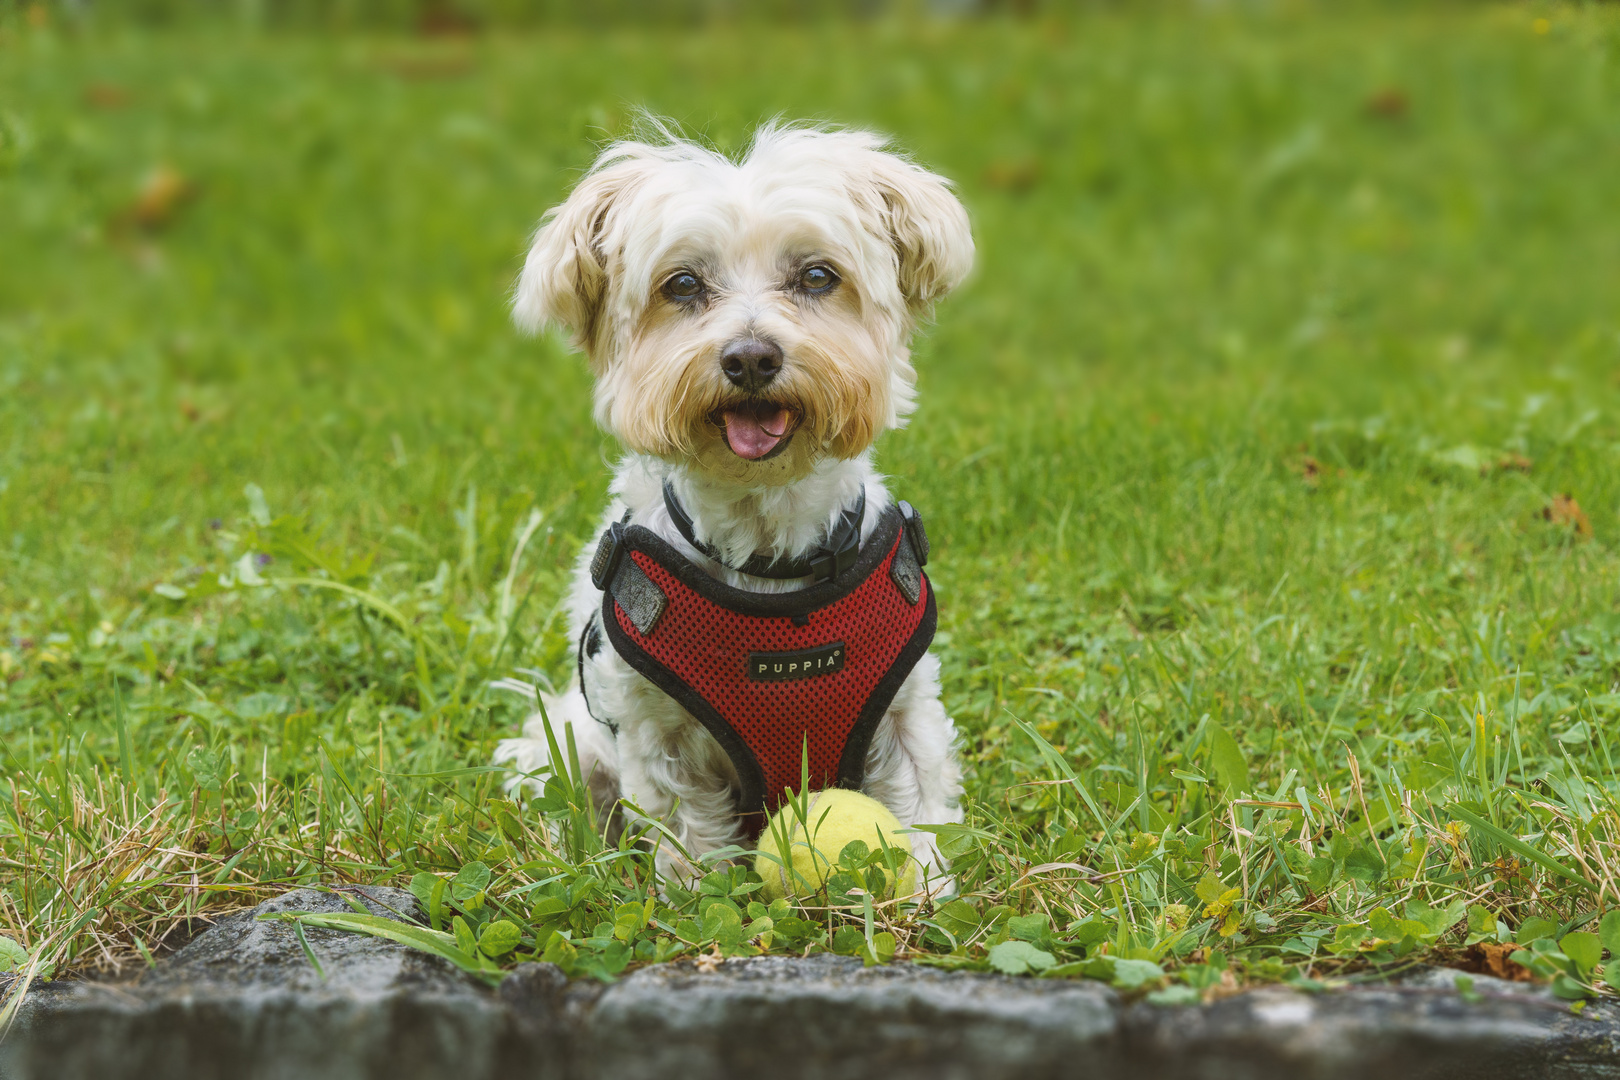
821 833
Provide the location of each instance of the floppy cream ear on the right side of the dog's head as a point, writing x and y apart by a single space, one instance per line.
929 229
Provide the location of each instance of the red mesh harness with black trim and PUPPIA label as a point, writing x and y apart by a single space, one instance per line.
772 674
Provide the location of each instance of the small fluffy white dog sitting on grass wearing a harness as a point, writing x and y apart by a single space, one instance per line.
749 328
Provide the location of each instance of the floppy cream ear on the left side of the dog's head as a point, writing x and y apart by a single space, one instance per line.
565 279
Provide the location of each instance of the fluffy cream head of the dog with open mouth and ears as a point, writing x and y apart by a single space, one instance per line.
752 317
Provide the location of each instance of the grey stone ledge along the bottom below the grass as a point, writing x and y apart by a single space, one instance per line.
244 1001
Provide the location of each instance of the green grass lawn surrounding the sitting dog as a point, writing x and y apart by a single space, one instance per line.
1240 456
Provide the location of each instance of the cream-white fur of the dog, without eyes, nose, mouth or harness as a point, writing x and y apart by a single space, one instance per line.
898 240
